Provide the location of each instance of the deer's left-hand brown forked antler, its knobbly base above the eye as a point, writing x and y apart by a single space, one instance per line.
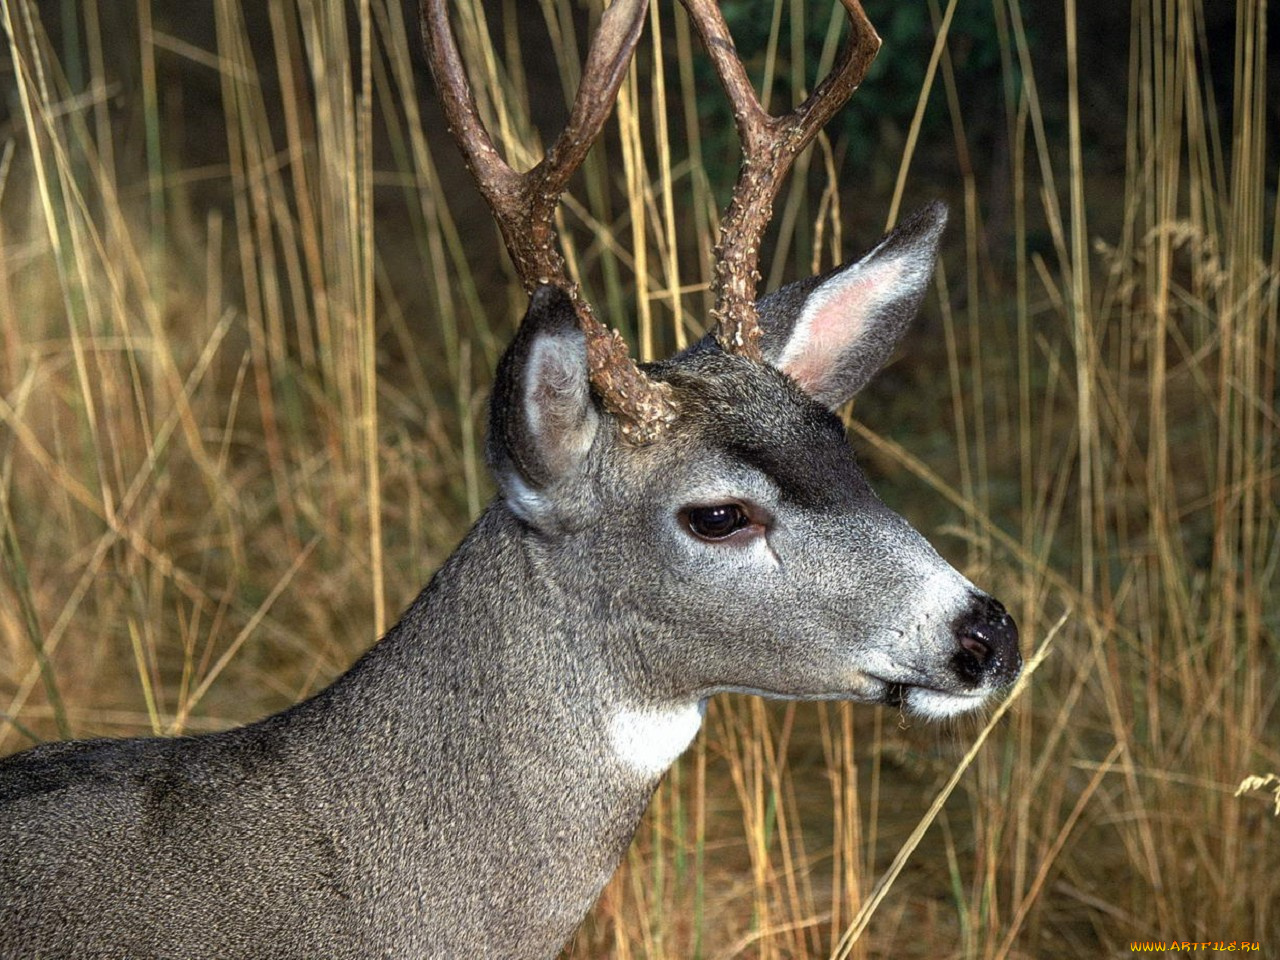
524 205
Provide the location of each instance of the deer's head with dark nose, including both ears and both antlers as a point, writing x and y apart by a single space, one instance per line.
766 563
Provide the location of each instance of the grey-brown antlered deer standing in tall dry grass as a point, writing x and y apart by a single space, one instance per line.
661 534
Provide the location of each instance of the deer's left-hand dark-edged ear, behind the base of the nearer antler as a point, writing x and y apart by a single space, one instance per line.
542 420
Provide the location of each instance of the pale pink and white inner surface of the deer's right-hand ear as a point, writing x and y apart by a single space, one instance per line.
833 322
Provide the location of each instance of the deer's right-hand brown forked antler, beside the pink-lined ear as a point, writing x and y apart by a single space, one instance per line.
770 145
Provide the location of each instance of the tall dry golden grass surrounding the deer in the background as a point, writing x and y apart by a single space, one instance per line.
237 435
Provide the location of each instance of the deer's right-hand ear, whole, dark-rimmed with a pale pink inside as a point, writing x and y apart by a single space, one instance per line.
833 333
